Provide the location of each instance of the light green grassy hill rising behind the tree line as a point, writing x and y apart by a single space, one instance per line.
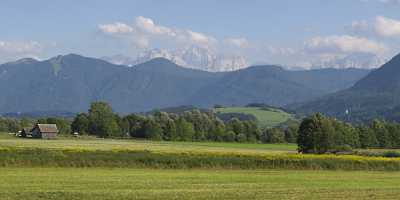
265 118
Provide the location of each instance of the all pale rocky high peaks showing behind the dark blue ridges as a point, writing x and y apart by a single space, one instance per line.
201 58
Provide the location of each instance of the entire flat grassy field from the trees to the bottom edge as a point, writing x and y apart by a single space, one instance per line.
90 168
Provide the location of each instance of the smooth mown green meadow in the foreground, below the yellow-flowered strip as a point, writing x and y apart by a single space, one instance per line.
101 184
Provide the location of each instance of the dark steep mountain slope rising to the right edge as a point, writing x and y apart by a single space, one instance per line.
374 96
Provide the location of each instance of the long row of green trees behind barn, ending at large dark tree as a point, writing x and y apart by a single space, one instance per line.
195 125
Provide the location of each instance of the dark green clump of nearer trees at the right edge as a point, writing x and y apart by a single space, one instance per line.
321 134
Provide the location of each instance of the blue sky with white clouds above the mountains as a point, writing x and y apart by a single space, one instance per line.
300 33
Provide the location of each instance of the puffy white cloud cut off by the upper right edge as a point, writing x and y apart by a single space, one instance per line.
387 27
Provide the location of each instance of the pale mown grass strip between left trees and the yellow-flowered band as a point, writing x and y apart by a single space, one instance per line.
145 145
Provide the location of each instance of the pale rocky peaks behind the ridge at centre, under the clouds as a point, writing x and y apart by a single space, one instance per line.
191 57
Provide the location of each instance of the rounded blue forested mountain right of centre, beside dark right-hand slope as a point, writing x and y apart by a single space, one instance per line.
275 86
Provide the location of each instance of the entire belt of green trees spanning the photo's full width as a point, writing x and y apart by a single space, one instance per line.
315 134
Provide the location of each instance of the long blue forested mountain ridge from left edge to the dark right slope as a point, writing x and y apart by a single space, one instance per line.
72 82
